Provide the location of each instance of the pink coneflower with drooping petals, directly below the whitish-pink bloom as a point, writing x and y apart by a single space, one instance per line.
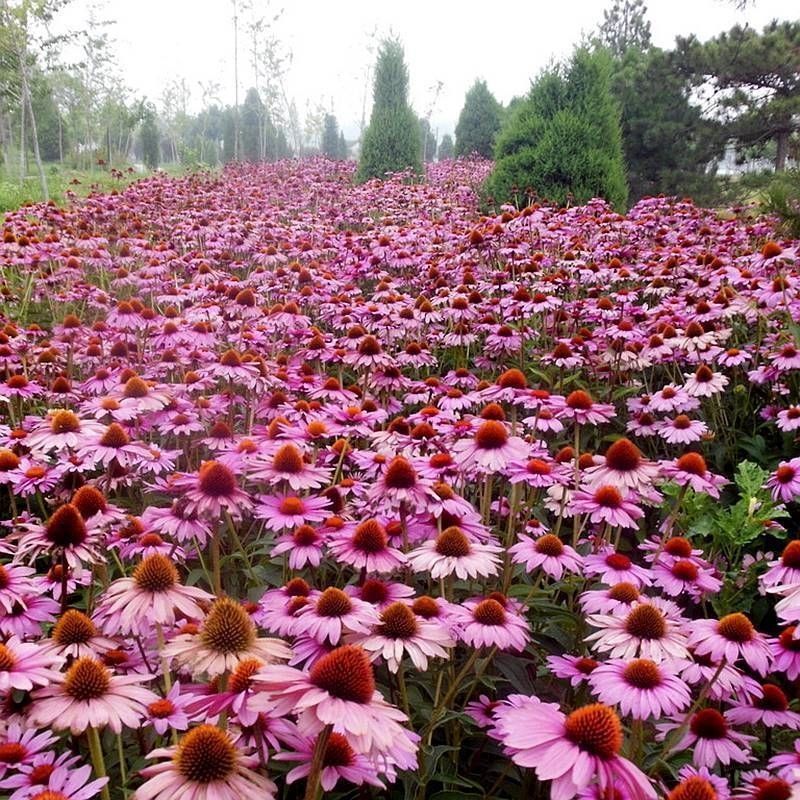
490 622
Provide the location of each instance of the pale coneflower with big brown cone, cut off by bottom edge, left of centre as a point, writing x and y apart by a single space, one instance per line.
204 764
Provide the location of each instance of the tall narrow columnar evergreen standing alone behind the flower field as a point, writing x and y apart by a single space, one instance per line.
391 141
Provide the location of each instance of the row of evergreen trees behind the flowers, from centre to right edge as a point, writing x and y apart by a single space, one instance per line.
621 119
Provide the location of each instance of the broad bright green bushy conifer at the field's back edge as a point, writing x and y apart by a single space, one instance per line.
563 141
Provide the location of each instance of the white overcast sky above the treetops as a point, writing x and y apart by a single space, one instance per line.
506 43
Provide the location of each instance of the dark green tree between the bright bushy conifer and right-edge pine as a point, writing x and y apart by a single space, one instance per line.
666 142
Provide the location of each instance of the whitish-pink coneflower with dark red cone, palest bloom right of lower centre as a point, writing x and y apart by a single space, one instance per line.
453 553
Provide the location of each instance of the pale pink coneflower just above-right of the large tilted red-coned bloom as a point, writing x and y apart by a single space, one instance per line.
401 632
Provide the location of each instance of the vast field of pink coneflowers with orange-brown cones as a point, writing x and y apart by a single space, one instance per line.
312 488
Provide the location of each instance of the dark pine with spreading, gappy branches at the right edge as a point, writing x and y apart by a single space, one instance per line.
757 78
